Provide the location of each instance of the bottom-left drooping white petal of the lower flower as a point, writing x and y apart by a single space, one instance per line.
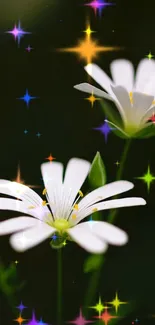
31 237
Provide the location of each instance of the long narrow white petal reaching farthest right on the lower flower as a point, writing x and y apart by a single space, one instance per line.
106 205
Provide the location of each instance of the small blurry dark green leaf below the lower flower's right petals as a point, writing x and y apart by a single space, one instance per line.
93 262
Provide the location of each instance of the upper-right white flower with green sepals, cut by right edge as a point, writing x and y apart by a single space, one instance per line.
133 96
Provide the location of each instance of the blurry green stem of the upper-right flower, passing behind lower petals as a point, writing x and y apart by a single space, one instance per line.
92 288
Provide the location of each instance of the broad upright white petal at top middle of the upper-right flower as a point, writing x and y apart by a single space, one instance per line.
123 73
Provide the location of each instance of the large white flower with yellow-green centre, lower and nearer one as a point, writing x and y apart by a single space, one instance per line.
63 212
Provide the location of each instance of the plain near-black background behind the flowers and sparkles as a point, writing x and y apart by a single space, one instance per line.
66 122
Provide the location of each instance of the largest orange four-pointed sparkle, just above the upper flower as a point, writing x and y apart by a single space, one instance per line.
88 49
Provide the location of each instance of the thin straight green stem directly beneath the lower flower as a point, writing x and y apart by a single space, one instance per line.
59 293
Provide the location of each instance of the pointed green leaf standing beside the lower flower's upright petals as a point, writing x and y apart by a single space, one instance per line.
97 174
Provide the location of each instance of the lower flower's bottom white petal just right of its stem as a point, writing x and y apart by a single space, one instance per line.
86 239
